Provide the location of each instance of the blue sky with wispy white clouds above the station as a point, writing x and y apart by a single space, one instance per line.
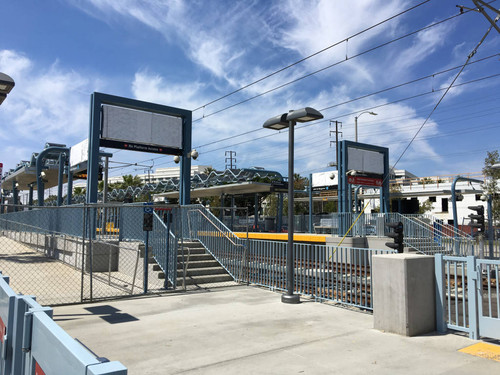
188 53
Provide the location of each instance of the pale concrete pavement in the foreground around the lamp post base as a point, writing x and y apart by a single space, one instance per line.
247 330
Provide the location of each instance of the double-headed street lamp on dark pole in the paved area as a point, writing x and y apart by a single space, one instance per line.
288 120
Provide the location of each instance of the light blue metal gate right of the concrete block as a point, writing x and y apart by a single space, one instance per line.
468 295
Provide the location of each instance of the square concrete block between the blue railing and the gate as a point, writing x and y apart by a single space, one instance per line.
404 294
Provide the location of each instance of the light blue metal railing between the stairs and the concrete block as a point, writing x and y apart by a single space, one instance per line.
331 273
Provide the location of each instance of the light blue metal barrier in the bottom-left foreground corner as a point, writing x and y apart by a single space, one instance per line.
32 343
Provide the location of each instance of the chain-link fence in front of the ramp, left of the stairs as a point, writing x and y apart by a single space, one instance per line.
81 265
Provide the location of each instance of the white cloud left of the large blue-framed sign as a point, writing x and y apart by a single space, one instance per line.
46 105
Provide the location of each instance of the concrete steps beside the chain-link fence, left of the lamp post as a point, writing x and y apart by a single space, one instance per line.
202 270
